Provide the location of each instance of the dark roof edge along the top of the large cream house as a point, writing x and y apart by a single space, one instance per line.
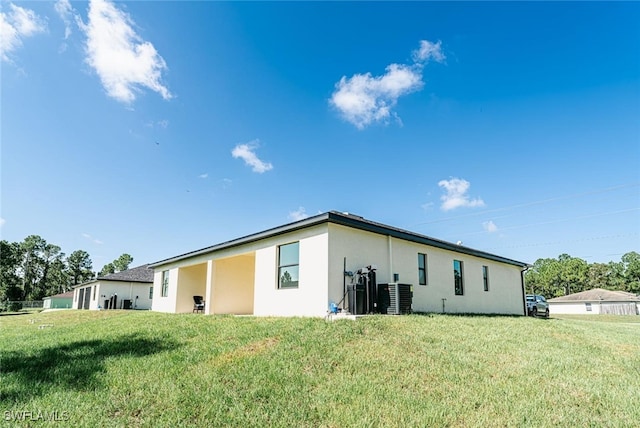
349 220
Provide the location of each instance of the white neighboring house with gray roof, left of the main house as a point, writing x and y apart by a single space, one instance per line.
129 289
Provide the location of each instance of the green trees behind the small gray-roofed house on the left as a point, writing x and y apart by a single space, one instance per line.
33 269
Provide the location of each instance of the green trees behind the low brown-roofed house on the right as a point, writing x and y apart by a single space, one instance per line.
567 275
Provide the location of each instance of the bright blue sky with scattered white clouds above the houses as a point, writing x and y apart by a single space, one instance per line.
158 128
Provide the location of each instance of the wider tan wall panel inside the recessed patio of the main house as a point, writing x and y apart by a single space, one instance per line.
233 285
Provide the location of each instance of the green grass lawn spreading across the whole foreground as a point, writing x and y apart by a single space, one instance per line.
128 368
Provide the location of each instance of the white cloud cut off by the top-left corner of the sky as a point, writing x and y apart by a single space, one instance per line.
15 25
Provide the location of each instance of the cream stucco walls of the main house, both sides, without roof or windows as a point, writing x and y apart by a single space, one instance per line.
244 280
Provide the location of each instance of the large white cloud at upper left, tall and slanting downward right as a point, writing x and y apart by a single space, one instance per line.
124 62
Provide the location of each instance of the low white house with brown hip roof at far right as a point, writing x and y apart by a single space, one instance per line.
596 301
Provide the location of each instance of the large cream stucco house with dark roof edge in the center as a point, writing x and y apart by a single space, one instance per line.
299 269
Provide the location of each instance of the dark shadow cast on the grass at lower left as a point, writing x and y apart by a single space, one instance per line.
74 366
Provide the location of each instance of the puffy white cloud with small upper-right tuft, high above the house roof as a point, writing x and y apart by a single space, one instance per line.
364 99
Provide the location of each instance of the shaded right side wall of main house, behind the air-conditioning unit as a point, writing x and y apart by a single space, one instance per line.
397 256
